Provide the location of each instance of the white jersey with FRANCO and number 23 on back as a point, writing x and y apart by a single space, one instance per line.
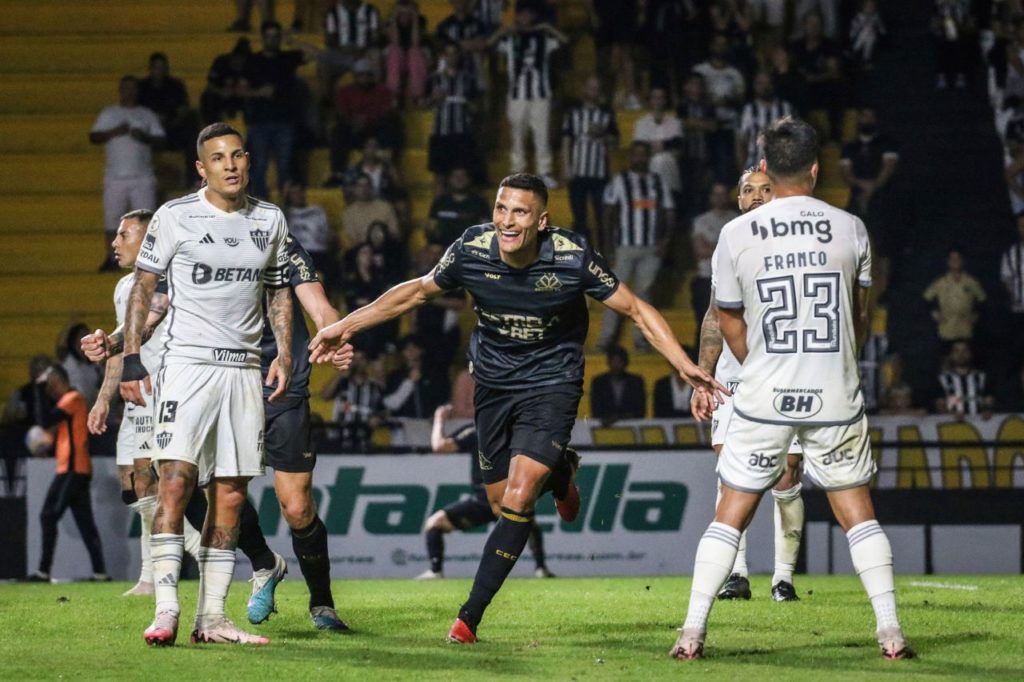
792 266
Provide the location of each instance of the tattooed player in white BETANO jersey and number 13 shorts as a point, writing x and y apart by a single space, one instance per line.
220 250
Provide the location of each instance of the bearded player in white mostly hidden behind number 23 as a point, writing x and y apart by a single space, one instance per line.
754 190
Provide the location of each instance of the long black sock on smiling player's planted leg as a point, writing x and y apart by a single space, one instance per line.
500 555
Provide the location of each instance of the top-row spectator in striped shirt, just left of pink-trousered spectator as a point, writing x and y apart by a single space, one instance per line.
352 37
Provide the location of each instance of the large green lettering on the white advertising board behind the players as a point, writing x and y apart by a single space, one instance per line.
612 498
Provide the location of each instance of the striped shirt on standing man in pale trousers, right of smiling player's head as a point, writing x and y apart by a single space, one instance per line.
639 198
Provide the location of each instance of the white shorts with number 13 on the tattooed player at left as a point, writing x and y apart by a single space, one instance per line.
212 417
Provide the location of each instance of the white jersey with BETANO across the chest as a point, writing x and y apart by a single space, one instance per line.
218 265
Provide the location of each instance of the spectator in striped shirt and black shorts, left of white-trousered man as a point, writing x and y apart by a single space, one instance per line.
452 92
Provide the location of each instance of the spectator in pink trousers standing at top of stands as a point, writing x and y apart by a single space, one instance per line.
407 62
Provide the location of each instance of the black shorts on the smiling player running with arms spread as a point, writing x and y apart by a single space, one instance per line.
535 422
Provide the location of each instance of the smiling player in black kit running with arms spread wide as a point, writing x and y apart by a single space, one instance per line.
528 280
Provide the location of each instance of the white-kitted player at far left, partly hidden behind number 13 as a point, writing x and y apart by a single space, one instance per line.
139 486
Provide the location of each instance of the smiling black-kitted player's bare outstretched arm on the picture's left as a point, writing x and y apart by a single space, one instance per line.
393 304
